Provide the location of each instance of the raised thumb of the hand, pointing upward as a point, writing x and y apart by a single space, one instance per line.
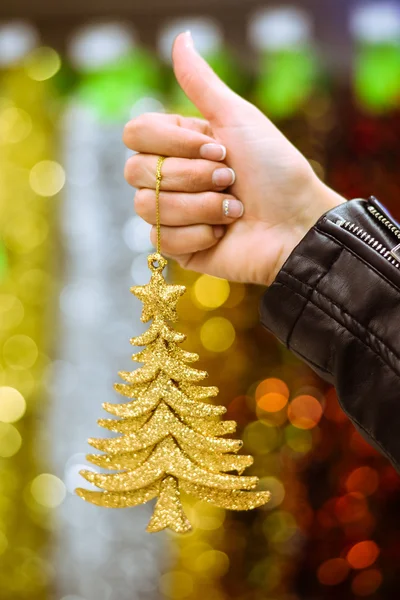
214 99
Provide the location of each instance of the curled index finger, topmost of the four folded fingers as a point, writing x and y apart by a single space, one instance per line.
169 135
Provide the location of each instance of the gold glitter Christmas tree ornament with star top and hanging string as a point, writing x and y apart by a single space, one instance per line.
171 437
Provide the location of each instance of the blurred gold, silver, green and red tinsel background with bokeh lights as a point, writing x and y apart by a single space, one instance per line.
71 74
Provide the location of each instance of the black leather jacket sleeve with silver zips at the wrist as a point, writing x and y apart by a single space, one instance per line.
336 304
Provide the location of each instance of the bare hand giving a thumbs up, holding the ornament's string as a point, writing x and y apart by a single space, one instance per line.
238 149
